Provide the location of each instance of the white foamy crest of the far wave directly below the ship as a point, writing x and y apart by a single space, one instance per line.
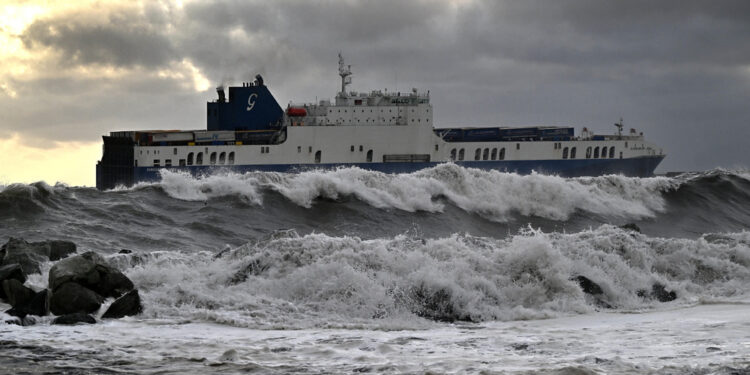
492 194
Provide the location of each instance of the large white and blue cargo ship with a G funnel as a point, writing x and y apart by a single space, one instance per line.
247 130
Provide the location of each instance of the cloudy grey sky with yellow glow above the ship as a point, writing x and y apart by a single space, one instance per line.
677 70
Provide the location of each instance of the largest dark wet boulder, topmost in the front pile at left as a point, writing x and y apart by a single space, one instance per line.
92 271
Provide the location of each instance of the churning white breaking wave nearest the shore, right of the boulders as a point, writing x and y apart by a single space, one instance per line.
297 281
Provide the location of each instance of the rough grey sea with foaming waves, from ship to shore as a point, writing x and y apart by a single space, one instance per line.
445 270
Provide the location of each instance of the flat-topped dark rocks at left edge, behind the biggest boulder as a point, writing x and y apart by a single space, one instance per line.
30 255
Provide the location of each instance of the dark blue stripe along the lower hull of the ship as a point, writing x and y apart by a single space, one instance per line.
634 167
